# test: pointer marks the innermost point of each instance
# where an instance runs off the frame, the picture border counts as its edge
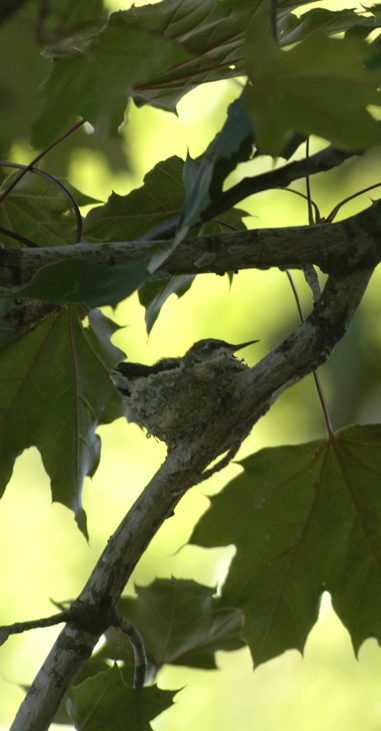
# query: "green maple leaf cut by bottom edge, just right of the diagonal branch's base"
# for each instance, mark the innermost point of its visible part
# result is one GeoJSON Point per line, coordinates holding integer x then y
{"type": "Point", "coordinates": [106, 702]}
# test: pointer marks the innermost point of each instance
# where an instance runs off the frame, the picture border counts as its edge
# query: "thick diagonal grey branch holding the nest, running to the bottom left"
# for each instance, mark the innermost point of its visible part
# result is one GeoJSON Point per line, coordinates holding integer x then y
{"type": "Point", "coordinates": [256, 388]}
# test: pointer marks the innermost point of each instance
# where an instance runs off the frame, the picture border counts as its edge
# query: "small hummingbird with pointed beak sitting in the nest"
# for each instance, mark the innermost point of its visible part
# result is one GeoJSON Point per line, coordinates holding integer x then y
{"type": "Point", "coordinates": [201, 351]}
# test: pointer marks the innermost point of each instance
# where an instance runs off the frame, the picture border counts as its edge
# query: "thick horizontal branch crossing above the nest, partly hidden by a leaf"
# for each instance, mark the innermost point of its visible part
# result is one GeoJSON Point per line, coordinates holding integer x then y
{"type": "Point", "coordinates": [334, 247]}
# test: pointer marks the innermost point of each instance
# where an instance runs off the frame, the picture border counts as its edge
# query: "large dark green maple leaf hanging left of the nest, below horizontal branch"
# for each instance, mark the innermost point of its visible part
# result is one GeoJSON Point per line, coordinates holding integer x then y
{"type": "Point", "coordinates": [55, 390]}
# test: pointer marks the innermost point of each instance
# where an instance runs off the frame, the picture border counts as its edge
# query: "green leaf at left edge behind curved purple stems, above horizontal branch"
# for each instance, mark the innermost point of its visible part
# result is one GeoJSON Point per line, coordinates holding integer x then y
{"type": "Point", "coordinates": [38, 210]}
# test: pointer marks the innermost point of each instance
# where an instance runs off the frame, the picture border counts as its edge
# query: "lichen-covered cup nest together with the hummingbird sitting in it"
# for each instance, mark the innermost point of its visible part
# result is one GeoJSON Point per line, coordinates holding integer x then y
{"type": "Point", "coordinates": [177, 399]}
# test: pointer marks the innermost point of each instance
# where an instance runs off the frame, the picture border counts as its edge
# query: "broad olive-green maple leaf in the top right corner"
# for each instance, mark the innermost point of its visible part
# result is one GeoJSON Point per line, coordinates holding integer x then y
{"type": "Point", "coordinates": [318, 87]}
